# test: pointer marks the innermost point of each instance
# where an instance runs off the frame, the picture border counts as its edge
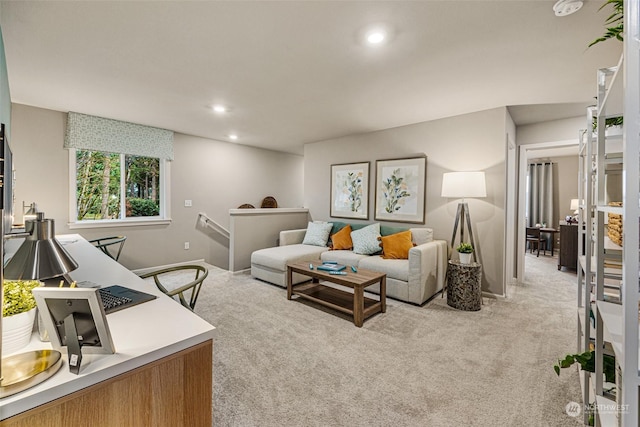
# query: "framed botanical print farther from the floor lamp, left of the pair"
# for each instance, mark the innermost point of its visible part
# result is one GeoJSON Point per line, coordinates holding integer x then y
{"type": "Point", "coordinates": [350, 190]}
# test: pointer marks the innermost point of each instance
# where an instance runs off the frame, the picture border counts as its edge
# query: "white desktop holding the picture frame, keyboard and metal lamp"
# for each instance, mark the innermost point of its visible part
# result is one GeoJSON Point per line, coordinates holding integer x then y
{"type": "Point", "coordinates": [141, 334]}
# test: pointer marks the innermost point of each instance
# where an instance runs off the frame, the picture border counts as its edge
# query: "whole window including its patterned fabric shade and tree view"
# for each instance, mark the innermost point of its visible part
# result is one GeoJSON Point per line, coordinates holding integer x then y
{"type": "Point", "coordinates": [118, 172]}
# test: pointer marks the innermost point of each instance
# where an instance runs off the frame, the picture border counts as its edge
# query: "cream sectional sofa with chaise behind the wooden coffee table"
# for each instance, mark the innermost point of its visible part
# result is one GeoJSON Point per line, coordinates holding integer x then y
{"type": "Point", "coordinates": [413, 280]}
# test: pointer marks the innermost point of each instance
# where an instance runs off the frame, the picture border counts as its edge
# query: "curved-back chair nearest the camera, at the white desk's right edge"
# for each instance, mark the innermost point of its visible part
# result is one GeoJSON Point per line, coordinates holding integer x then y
{"type": "Point", "coordinates": [174, 285]}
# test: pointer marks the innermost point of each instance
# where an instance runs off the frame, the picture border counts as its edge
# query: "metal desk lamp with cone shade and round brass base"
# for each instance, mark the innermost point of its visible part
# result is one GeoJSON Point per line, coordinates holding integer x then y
{"type": "Point", "coordinates": [40, 257]}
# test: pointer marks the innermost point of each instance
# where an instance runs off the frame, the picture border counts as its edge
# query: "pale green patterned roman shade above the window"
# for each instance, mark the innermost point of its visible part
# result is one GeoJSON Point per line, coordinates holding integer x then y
{"type": "Point", "coordinates": [99, 134]}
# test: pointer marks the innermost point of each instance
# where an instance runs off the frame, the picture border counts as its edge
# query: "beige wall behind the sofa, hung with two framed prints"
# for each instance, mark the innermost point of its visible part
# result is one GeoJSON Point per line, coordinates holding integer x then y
{"type": "Point", "coordinates": [464, 143]}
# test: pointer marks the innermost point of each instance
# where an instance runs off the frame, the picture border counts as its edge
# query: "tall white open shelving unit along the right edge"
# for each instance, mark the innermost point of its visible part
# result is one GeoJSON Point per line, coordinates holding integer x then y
{"type": "Point", "coordinates": [605, 266]}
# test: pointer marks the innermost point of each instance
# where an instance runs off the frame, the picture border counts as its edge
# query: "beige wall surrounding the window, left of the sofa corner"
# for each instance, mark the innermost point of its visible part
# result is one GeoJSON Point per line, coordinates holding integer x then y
{"type": "Point", "coordinates": [216, 176]}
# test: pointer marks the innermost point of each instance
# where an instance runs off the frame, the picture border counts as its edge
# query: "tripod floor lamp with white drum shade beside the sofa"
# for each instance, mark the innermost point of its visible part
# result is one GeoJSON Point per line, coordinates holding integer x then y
{"type": "Point", "coordinates": [463, 185]}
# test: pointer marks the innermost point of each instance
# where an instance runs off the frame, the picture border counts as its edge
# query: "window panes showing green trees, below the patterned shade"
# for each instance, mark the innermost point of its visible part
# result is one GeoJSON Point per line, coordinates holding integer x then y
{"type": "Point", "coordinates": [117, 187]}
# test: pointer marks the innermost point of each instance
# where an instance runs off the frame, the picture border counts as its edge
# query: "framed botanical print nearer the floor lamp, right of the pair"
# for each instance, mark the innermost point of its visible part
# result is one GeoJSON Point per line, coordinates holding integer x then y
{"type": "Point", "coordinates": [400, 189]}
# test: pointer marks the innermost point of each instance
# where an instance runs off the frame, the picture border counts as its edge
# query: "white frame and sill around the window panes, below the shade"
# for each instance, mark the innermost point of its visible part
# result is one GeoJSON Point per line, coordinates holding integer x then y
{"type": "Point", "coordinates": [165, 212]}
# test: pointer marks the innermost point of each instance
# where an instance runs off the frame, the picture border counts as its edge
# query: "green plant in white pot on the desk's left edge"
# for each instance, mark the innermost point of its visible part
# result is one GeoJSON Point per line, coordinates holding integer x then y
{"type": "Point", "coordinates": [18, 314]}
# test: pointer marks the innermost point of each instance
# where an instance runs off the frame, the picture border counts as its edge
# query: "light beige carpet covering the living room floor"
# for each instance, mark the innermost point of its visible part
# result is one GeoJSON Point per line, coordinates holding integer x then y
{"type": "Point", "coordinates": [287, 363]}
